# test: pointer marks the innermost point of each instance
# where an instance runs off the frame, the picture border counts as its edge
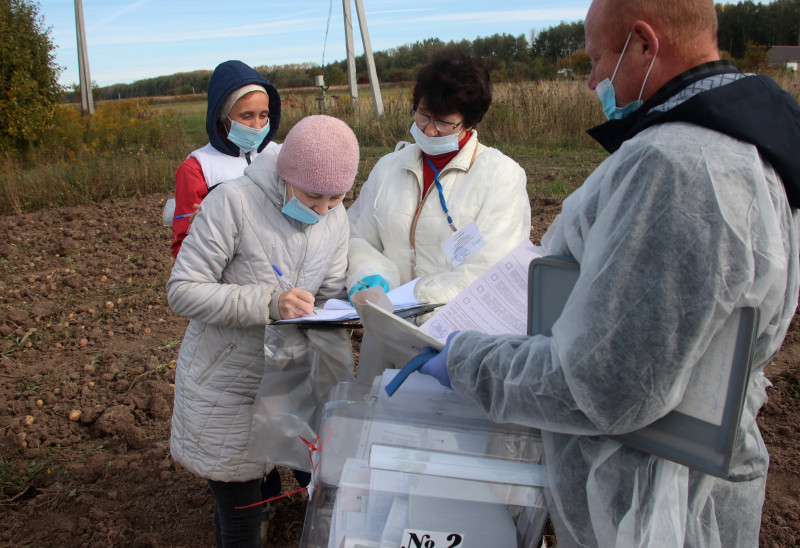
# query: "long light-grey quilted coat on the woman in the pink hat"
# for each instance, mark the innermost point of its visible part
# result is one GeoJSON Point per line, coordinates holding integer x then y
{"type": "Point", "coordinates": [224, 282]}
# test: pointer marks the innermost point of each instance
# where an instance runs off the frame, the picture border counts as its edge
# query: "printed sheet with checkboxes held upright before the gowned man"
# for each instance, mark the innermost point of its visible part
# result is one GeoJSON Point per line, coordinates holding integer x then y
{"type": "Point", "coordinates": [496, 303]}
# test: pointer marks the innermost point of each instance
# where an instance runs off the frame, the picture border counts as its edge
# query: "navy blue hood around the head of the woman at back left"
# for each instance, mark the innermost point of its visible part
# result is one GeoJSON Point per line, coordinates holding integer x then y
{"type": "Point", "coordinates": [227, 78]}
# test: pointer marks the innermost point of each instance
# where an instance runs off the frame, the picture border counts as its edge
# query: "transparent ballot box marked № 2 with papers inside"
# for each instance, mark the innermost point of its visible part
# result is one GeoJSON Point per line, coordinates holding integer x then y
{"type": "Point", "coordinates": [424, 468]}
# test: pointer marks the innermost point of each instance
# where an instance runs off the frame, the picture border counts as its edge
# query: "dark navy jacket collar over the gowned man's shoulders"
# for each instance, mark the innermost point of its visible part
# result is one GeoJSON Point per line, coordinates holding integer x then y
{"type": "Point", "coordinates": [715, 95]}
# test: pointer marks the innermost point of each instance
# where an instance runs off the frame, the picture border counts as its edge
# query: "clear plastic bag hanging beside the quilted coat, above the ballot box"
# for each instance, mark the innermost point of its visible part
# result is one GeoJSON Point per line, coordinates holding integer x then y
{"type": "Point", "coordinates": [302, 366]}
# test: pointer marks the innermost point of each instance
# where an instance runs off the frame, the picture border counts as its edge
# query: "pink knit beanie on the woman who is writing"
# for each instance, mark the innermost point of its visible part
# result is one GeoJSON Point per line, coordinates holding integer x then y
{"type": "Point", "coordinates": [319, 155]}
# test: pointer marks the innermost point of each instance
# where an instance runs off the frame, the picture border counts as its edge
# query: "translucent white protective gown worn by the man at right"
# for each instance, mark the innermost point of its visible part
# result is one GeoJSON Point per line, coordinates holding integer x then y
{"type": "Point", "coordinates": [677, 228]}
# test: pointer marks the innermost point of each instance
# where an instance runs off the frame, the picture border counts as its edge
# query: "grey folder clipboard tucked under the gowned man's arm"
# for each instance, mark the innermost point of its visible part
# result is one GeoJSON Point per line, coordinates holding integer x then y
{"type": "Point", "coordinates": [681, 436]}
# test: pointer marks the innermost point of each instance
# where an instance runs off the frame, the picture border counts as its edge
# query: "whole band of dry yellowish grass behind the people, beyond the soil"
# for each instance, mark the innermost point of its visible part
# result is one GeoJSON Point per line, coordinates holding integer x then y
{"type": "Point", "coordinates": [131, 148]}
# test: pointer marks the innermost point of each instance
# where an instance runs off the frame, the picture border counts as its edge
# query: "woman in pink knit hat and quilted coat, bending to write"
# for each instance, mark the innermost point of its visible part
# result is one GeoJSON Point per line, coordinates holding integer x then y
{"type": "Point", "coordinates": [264, 247]}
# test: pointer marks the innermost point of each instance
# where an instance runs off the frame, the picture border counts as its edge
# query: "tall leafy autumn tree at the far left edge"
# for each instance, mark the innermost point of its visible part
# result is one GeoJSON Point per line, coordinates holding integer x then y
{"type": "Point", "coordinates": [29, 90]}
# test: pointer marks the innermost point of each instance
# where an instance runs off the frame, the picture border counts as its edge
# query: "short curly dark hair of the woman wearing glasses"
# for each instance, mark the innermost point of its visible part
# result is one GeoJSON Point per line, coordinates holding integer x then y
{"type": "Point", "coordinates": [453, 81]}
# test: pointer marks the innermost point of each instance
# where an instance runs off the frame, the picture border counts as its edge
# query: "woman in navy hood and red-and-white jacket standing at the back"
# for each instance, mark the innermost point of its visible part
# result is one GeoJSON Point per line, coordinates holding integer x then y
{"type": "Point", "coordinates": [244, 112]}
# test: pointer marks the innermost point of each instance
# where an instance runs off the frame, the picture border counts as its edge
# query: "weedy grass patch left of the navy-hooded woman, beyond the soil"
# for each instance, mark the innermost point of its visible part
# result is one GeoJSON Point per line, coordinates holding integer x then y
{"type": "Point", "coordinates": [125, 149]}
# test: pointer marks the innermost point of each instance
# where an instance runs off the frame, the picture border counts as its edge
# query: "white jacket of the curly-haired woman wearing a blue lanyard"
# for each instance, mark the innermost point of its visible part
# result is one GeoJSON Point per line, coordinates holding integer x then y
{"type": "Point", "coordinates": [398, 233]}
